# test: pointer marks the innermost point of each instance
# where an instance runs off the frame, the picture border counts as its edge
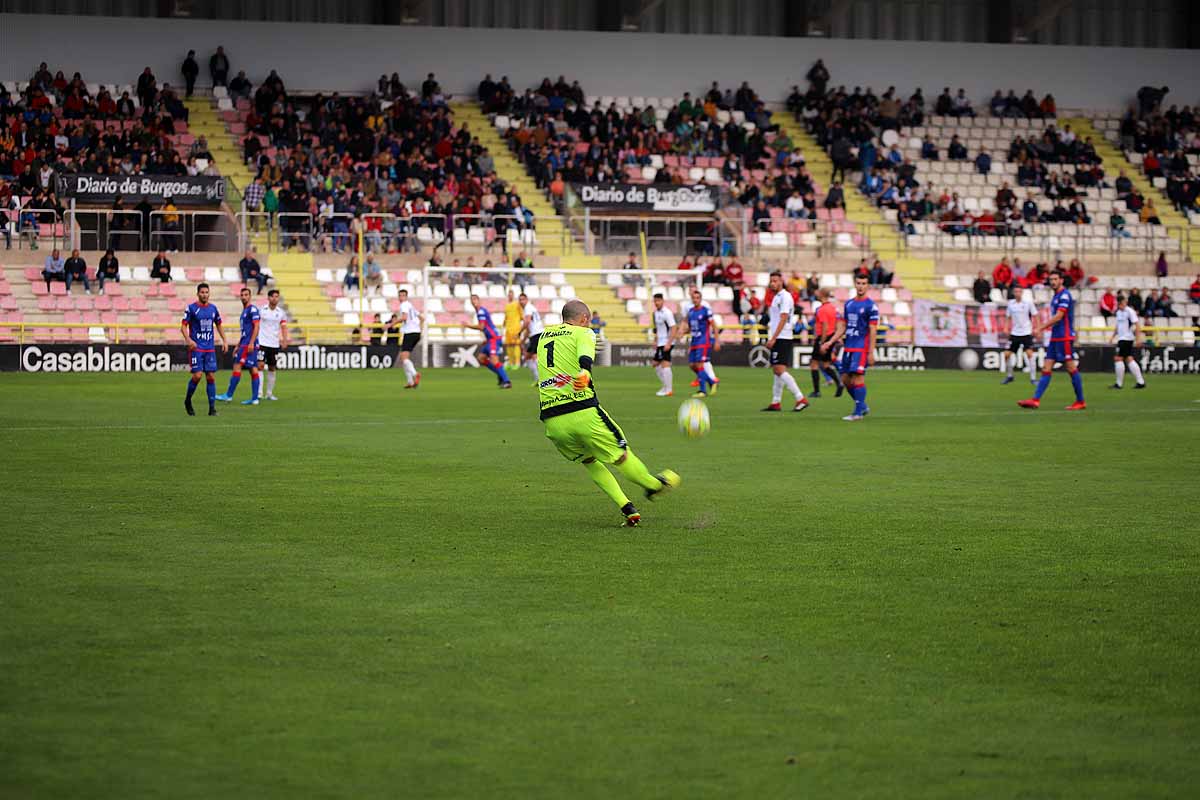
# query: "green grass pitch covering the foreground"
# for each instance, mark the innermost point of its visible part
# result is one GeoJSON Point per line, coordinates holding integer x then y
{"type": "Point", "coordinates": [367, 592]}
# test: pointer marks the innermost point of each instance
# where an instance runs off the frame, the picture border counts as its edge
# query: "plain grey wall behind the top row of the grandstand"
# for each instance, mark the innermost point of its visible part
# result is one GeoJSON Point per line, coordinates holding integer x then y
{"type": "Point", "coordinates": [111, 50]}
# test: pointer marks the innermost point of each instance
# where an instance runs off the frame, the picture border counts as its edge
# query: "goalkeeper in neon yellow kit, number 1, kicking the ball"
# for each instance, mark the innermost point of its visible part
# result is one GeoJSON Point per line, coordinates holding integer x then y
{"type": "Point", "coordinates": [577, 424]}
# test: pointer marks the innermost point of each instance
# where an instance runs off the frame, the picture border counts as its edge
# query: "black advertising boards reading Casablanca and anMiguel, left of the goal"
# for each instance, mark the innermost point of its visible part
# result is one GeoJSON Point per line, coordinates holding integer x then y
{"type": "Point", "coordinates": [173, 358]}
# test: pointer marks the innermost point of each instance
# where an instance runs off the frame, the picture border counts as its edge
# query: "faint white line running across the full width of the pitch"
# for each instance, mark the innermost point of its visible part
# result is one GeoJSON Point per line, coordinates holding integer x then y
{"type": "Point", "coordinates": [403, 423]}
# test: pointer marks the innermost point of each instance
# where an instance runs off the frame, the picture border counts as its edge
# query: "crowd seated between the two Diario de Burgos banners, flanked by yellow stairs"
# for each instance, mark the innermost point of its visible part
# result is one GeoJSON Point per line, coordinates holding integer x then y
{"type": "Point", "coordinates": [393, 153]}
